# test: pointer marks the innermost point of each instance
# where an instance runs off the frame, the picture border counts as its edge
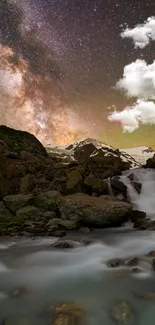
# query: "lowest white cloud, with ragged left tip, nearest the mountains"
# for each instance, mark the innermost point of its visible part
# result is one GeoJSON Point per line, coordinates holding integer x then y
{"type": "Point", "coordinates": [132, 116]}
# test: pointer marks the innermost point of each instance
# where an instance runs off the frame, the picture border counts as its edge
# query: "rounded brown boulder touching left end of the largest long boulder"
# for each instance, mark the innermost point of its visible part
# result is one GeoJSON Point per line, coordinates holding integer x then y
{"type": "Point", "coordinates": [47, 200]}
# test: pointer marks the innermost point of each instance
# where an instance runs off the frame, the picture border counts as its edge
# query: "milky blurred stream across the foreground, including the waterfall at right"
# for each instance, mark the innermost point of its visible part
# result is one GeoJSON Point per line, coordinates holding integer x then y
{"type": "Point", "coordinates": [81, 275]}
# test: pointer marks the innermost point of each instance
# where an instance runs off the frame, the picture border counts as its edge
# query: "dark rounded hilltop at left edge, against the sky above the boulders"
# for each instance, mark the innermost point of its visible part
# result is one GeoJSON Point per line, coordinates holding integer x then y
{"type": "Point", "coordinates": [18, 141]}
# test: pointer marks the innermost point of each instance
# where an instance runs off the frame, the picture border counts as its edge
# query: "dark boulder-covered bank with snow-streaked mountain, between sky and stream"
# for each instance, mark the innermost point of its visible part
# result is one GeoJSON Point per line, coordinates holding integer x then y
{"type": "Point", "coordinates": [50, 191]}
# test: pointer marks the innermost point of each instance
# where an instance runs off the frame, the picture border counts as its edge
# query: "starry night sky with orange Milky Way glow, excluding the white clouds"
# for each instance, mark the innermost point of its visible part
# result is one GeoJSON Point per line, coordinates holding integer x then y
{"type": "Point", "coordinates": [78, 55]}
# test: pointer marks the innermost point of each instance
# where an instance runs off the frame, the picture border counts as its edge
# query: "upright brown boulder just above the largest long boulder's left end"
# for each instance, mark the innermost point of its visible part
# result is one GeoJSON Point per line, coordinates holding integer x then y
{"type": "Point", "coordinates": [74, 182]}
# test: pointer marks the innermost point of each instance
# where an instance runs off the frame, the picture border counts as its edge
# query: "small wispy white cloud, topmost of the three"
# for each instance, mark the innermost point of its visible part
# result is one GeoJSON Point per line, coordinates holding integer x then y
{"type": "Point", "coordinates": [142, 34]}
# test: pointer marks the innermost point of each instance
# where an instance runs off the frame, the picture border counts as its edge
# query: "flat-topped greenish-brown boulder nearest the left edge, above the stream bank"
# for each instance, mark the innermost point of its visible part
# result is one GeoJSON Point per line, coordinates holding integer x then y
{"type": "Point", "coordinates": [16, 202]}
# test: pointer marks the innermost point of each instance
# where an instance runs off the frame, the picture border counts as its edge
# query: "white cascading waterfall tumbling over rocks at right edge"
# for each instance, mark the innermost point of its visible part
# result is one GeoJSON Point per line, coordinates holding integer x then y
{"type": "Point", "coordinates": [145, 200]}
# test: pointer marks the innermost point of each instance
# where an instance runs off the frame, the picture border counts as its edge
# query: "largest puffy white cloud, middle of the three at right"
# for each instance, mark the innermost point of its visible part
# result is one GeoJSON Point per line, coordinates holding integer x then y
{"type": "Point", "coordinates": [138, 80]}
